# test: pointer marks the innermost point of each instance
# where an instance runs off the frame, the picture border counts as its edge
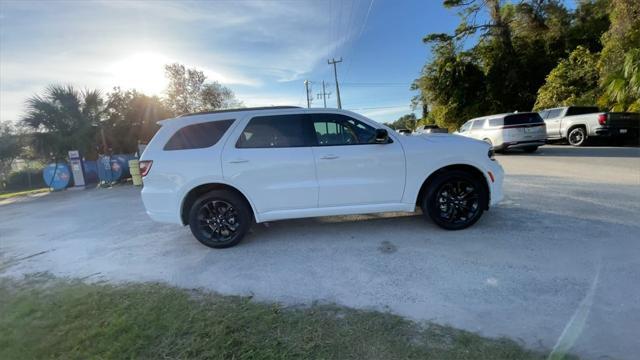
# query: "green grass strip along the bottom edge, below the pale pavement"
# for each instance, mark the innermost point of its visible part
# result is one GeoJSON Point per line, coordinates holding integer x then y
{"type": "Point", "coordinates": [49, 318]}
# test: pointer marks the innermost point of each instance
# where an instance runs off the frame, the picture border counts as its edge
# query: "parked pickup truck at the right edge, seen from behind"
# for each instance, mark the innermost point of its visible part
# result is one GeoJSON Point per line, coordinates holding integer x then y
{"type": "Point", "coordinates": [578, 123]}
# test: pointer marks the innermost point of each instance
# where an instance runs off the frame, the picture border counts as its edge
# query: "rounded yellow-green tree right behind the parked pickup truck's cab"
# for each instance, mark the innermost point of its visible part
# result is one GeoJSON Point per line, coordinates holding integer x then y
{"type": "Point", "coordinates": [573, 82]}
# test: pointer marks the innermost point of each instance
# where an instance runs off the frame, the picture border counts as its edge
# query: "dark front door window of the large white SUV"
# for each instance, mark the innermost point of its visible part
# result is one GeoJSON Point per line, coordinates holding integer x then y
{"type": "Point", "coordinates": [335, 129]}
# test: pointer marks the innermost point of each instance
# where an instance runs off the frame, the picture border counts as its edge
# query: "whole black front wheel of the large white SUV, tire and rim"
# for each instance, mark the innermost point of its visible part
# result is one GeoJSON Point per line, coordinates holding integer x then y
{"type": "Point", "coordinates": [445, 196]}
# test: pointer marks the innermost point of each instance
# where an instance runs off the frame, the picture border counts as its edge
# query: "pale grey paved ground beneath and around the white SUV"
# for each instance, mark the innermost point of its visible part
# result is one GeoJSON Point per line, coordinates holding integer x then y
{"type": "Point", "coordinates": [559, 258]}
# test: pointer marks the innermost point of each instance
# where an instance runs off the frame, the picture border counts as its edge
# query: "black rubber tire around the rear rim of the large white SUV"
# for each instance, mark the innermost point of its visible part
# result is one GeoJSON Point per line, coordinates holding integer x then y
{"type": "Point", "coordinates": [239, 205]}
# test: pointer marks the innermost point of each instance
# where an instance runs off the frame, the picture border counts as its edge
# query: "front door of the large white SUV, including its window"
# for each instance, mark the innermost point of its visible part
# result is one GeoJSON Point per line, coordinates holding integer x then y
{"type": "Point", "coordinates": [351, 168]}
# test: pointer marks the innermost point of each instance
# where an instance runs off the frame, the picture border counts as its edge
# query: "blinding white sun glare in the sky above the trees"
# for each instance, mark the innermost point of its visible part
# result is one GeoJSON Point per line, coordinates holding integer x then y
{"type": "Point", "coordinates": [141, 71]}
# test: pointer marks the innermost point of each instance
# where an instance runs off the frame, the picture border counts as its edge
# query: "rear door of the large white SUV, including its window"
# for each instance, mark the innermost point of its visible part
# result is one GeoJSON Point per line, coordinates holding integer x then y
{"type": "Point", "coordinates": [270, 159]}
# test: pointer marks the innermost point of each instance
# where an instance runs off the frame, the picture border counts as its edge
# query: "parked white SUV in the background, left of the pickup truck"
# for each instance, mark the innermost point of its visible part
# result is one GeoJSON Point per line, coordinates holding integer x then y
{"type": "Point", "coordinates": [524, 131]}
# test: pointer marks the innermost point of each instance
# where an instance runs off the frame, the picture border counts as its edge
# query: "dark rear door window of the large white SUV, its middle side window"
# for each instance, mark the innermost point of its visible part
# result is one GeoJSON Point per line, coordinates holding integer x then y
{"type": "Point", "coordinates": [274, 132]}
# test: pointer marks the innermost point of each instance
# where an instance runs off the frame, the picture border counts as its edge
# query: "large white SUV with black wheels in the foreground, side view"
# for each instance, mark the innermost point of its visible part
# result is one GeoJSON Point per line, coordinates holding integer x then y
{"type": "Point", "coordinates": [220, 171]}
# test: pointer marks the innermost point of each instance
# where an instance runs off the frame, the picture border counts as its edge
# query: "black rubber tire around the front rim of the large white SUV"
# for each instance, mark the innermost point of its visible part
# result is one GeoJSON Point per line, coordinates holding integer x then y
{"type": "Point", "coordinates": [430, 205]}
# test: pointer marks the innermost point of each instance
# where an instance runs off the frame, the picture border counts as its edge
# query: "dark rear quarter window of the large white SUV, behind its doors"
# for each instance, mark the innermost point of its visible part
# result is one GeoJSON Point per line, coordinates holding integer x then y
{"type": "Point", "coordinates": [198, 136]}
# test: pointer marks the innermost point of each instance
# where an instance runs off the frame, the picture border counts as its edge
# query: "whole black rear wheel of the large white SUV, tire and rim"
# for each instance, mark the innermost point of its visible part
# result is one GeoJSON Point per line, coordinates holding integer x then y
{"type": "Point", "coordinates": [220, 219]}
